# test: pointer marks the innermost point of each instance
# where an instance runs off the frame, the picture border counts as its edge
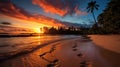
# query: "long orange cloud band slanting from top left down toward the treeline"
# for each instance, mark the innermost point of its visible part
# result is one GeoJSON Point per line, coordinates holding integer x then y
{"type": "Point", "coordinates": [9, 9]}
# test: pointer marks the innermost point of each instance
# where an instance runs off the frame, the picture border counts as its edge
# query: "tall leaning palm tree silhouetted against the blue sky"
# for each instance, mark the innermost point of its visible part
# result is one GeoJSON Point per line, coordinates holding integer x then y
{"type": "Point", "coordinates": [91, 7]}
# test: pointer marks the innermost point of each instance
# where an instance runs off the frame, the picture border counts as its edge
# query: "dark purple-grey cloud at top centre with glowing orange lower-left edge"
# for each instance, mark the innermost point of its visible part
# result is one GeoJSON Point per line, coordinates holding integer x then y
{"type": "Point", "coordinates": [60, 7]}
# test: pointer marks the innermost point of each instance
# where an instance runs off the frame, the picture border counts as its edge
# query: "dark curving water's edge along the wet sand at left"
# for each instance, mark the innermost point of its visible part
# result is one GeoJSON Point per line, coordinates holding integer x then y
{"type": "Point", "coordinates": [29, 50]}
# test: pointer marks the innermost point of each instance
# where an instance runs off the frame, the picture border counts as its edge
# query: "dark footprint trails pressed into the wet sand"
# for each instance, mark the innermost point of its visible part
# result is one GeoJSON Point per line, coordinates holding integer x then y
{"type": "Point", "coordinates": [54, 63]}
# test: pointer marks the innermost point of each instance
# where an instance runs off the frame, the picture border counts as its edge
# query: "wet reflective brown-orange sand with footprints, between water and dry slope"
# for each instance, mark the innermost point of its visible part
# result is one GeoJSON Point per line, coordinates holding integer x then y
{"type": "Point", "coordinates": [78, 52]}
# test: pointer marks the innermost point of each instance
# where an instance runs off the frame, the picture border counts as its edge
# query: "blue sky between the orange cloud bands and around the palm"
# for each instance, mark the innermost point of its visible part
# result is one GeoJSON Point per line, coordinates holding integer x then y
{"type": "Point", "coordinates": [27, 5]}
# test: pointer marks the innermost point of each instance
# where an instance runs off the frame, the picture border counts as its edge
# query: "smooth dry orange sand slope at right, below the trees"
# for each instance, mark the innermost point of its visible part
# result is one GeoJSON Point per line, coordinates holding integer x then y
{"type": "Point", "coordinates": [110, 42]}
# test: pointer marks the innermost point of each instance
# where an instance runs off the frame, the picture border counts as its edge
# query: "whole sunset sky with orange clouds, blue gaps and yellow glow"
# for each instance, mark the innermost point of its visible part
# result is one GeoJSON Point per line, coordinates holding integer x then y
{"type": "Point", "coordinates": [34, 14]}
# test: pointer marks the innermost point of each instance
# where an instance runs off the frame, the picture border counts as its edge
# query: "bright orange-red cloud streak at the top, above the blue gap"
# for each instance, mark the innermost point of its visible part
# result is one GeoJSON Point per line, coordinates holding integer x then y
{"type": "Point", "coordinates": [50, 8]}
